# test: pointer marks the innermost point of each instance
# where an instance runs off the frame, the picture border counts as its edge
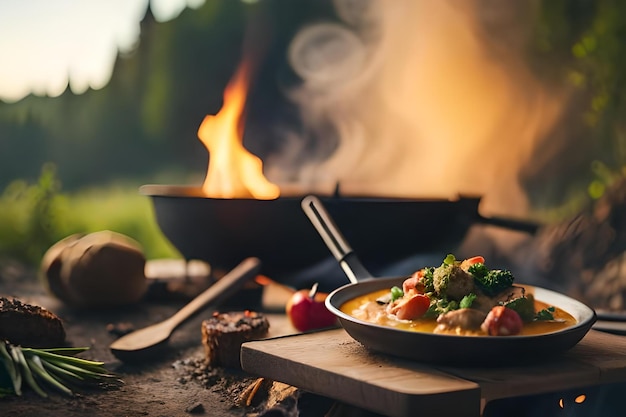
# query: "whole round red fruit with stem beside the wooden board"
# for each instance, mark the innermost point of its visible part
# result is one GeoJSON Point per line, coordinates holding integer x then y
{"type": "Point", "coordinates": [306, 310]}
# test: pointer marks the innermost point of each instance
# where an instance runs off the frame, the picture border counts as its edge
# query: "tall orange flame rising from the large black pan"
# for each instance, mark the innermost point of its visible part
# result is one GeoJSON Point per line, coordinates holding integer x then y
{"type": "Point", "coordinates": [233, 172]}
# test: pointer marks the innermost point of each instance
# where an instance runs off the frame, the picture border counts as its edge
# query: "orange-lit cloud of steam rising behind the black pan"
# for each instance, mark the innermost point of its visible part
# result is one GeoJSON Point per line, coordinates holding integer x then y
{"type": "Point", "coordinates": [427, 99]}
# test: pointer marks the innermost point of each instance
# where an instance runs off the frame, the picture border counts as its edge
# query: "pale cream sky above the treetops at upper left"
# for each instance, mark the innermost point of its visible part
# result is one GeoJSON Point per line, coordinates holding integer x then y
{"type": "Point", "coordinates": [47, 44]}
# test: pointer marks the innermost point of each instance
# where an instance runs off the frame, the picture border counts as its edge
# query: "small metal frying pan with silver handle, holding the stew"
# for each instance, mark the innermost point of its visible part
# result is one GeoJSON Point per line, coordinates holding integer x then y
{"type": "Point", "coordinates": [430, 347]}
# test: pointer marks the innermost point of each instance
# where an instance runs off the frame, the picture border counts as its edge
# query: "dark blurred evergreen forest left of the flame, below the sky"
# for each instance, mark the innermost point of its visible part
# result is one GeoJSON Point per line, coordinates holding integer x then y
{"type": "Point", "coordinates": [145, 120]}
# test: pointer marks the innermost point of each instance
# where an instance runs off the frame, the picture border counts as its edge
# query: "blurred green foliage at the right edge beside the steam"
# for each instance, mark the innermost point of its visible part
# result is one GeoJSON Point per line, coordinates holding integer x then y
{"type": "Point", "coordinates": [580, 45]}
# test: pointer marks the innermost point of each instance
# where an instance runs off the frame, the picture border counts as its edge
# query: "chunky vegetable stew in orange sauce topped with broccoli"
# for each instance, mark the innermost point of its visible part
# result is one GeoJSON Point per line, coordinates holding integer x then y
{"type": "Point", "coordinates": [460, 298]}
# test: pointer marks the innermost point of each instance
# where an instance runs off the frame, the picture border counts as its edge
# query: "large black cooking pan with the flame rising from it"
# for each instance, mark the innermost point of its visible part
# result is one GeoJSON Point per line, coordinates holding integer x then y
{"type": "Point", "coordinates": [224, 231]}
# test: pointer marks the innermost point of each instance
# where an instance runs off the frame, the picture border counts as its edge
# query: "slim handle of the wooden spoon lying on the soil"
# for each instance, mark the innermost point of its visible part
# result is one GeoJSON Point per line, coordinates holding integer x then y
{"type": "Point", "coordinates": [219, 291]}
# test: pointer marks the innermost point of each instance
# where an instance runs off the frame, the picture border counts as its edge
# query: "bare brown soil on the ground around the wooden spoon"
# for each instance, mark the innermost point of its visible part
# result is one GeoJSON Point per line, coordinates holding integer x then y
{"type": "Point", "coordinates": [169, 381]}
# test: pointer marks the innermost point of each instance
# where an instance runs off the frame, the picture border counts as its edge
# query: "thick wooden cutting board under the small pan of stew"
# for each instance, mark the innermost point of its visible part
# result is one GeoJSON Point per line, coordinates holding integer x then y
{"type": "Point", "coordinates": [332, 364]}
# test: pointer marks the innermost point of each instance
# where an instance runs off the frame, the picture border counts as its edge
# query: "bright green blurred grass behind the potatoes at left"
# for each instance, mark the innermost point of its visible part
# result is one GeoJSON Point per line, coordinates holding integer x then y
{"type": "Point", "coordinates": [35, 216]}
